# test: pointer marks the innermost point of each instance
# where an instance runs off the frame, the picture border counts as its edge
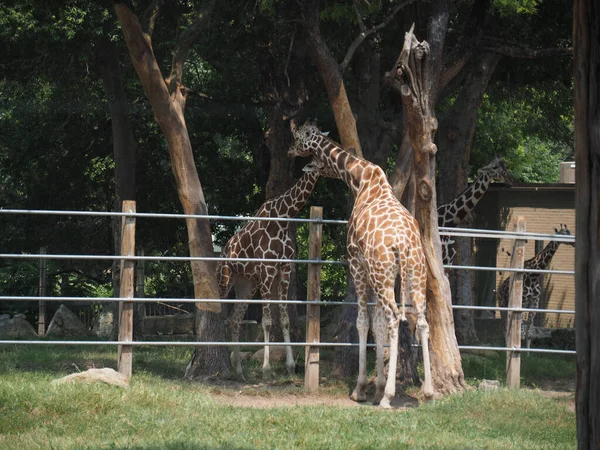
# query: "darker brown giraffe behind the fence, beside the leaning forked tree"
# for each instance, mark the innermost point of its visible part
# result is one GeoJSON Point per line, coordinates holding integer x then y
{"type": "Point", "coordinates": [269, 240]}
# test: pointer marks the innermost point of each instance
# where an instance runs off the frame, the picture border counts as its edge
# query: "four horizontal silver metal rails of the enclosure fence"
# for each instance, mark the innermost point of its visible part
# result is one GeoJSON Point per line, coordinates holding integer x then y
{"type": "Point", "coordinates": [456, 232]}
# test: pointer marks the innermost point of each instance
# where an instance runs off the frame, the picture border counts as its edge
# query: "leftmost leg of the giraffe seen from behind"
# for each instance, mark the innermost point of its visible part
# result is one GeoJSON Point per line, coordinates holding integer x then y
{"type": "Point", "coordinates": [362, 324]}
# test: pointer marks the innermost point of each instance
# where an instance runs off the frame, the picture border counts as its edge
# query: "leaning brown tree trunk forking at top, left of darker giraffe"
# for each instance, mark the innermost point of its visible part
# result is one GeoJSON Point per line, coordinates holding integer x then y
{"type": "Point", "coordinates": [167, 98]}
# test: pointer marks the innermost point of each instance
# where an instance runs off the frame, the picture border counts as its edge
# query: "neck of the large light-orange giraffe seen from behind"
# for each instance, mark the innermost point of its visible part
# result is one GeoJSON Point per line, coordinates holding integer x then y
{"type": "Point", "coordinates": [351, 169]}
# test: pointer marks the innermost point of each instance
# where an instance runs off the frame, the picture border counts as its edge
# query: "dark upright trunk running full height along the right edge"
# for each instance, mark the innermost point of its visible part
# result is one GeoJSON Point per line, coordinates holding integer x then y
{"type": "Point", "coordinates": [586, 40]}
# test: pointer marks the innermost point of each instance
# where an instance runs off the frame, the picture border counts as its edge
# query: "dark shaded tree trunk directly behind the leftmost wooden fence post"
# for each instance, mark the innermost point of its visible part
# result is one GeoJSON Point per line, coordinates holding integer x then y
{"type": "Point", "coordinates": [124, 153]}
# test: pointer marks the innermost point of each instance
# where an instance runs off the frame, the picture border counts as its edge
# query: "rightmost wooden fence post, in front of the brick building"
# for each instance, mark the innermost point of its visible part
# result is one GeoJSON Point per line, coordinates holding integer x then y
{"type": "Point", "coordinates": [514, 318]}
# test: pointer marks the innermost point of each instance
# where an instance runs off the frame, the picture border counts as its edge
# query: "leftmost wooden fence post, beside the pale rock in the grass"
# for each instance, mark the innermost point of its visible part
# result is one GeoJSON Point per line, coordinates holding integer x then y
{"type": "Point", "coordinates": [125, 354]}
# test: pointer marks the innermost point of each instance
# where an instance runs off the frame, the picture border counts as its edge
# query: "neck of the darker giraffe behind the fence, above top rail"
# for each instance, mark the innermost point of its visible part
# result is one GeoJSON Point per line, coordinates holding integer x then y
{"type": "Point", "coordinates": [291, 201]}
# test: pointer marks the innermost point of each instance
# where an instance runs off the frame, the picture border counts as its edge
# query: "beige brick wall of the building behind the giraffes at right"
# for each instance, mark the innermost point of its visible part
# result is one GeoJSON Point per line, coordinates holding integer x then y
{"type": "Point", "coordinates": [561, 287]}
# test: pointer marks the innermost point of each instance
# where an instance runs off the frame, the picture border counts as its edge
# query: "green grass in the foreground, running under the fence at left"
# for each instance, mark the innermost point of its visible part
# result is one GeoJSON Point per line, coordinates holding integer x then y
{"type": "Point", "coordinates": [160, 411]}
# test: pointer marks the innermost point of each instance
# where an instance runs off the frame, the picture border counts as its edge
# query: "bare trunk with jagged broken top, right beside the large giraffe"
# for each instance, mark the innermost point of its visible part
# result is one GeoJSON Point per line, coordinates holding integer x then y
{"type": "Point", "coordinates": [413, 72]}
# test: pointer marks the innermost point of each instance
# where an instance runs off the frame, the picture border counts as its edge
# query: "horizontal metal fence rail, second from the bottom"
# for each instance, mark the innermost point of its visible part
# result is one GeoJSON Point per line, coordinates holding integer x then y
{"type": "Point", "coordinates": [253, 302]}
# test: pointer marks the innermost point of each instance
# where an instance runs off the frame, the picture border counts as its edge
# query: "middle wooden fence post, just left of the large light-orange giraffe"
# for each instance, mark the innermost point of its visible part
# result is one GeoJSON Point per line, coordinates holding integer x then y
{"type": "Point", "coordinates": [313, 312]}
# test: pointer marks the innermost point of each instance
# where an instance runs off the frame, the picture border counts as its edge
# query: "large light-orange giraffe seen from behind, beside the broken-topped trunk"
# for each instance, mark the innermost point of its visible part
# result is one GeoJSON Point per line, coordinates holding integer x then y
{"type": "Point", "coordinates": [383, 243]}
